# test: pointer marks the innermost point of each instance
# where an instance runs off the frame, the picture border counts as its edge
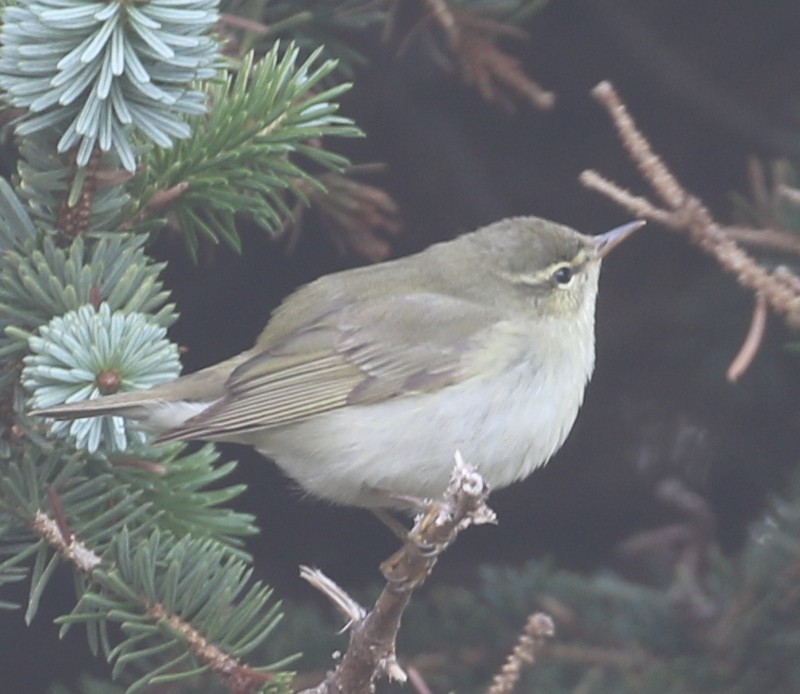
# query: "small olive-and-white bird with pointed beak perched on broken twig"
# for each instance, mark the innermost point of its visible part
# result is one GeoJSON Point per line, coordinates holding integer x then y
{"type": "Point", "coordinates": [365, 382]}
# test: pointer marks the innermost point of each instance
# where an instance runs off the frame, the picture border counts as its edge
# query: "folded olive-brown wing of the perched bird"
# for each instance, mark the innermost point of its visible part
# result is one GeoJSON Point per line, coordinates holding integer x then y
{"type": "Point", "coordinates": [365, 352]}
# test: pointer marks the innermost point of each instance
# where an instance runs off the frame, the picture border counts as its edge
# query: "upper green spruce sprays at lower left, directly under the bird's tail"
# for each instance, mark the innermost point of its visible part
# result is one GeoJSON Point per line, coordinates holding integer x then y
{"type": "Point", "coordinates": [101, 498]}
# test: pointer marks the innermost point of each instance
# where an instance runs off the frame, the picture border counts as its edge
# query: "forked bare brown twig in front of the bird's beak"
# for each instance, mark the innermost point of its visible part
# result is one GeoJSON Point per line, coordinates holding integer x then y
{"type": "Point", "coordinates": [682, 211]}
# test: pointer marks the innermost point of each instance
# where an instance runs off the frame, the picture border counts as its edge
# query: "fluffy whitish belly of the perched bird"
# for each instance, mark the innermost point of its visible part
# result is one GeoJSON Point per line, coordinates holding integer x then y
{"type": "Point", "coordinates": [506, 425]}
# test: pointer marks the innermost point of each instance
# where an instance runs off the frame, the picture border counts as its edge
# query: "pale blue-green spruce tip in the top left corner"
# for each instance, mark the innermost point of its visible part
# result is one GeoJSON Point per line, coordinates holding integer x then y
{"type": "Point", "coordinates": [94, 72]}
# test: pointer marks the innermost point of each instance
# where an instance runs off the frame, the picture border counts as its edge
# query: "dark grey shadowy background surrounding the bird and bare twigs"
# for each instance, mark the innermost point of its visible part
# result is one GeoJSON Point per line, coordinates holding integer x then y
{"type": "Point", "coordinates": [711, 83]}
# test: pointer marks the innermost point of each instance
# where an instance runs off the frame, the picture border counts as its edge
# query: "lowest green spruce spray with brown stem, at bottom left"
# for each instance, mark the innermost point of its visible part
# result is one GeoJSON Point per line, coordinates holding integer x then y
{"type": "Point", "coordinates": [166, 593]}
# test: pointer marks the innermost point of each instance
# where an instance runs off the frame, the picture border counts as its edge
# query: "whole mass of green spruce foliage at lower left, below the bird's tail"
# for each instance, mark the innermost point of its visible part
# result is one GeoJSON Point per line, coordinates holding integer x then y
{"type": "Point", "coordinates": [122, 511]}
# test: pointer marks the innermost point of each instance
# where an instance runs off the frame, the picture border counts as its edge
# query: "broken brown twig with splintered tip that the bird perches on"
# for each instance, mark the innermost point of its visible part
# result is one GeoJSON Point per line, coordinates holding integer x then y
{"type": "Point", "coordinates": [371, 652]}
